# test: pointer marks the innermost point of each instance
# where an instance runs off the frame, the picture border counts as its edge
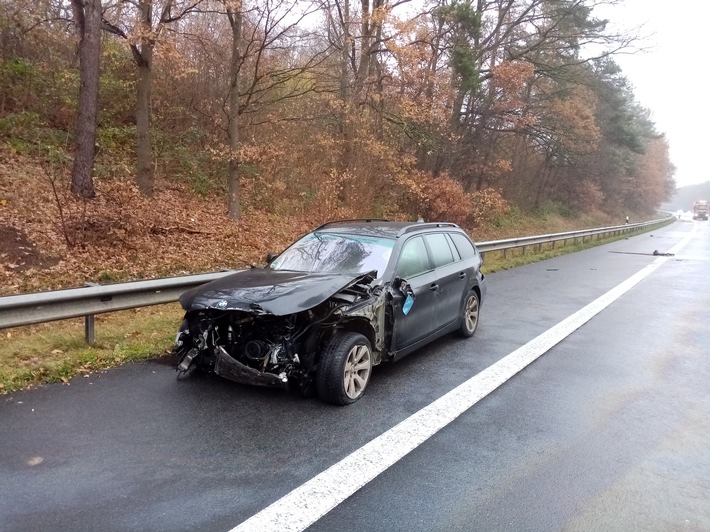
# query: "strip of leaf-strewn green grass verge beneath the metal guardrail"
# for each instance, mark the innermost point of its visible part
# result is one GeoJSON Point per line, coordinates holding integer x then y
{"type": "Point", "coordinates": [55, 352]}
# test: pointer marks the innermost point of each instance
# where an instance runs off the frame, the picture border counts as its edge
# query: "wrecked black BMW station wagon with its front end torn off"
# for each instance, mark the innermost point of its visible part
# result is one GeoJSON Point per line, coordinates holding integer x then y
{"type": "Point", "coordinates": [340, 300]}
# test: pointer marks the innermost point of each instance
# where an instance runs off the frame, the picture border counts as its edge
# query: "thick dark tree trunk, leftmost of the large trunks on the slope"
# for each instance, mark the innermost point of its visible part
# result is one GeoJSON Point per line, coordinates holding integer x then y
{"type": "Point", "coordinates": [87, 16]}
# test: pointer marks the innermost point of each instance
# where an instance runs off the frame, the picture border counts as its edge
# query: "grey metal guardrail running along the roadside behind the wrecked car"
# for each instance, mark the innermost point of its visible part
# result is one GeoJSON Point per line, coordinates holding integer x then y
{"type": "Point", "coordinates": [40, 307]}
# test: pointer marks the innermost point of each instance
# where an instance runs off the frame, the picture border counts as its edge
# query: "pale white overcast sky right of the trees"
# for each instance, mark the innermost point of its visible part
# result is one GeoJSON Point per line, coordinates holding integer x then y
{"type": "Point", "coordinates": [671, 78]}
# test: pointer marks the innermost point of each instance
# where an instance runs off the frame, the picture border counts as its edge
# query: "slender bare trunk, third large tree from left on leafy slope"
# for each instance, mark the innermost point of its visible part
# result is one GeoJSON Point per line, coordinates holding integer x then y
{"type": "Point", "coordinates": [235, 21]}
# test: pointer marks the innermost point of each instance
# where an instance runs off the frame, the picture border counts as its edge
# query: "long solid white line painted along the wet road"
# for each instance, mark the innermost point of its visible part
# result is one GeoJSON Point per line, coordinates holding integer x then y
{"type": "Point", "coordinates": [309, 502]}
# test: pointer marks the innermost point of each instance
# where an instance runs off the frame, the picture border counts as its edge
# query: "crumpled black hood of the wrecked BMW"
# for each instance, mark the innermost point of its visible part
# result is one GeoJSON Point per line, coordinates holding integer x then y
{"type": "Point", "coordinates": [276, 292]}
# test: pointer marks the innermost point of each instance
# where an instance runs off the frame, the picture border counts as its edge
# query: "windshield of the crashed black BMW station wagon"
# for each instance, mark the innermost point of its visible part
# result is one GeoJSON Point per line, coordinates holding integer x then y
{"type": "Point", "coordinates": [333, 253]}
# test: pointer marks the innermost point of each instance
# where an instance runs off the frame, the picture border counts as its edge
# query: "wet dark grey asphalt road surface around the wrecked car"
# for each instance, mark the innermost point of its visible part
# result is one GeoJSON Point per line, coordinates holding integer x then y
{"type": "Point", "coordinates": [609, 430]}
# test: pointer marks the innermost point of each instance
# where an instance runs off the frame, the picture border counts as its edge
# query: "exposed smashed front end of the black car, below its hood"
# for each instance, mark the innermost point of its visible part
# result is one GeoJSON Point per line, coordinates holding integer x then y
{"type": "Point", "coordinates": [267, 349]}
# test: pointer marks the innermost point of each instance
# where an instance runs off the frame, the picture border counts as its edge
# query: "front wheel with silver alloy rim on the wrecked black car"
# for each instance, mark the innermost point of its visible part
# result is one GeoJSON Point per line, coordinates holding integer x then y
{"type": "Point", "coordinates": [344, 368]}
